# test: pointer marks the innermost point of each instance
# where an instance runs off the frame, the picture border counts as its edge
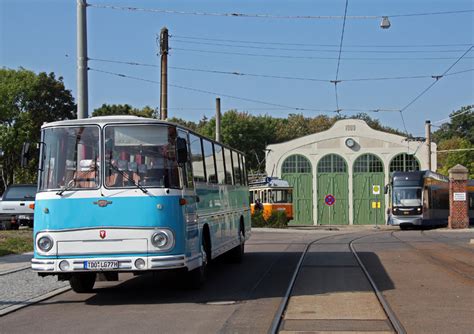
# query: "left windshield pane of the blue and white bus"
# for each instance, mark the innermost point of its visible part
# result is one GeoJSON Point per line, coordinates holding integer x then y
{"type": "Point", "coordinates": [70, 158]}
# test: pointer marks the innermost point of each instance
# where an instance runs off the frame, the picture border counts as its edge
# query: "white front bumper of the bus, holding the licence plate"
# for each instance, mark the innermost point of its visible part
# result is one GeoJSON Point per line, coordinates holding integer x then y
{"type": "Point", "coordinates": [119, 264]}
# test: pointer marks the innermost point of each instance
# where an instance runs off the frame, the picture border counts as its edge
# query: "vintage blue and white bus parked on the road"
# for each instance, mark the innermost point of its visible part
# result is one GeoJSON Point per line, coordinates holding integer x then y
{"type": "Point", "coordinates": [129, 194]}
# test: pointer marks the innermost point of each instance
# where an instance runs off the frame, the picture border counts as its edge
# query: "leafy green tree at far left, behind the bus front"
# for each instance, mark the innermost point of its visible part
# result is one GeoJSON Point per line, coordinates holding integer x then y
{"type": "Point", "coordinates": [27, 100]}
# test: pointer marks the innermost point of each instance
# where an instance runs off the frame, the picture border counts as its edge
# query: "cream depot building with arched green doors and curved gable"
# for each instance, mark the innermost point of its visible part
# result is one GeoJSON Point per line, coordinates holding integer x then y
{"type": "Point", "coordinates": [338, 176]}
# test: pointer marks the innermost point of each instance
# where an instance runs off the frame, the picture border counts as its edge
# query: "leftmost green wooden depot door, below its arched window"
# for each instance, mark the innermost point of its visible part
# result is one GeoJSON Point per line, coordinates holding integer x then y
{"type": "Point", "coordinates": [302, 184]}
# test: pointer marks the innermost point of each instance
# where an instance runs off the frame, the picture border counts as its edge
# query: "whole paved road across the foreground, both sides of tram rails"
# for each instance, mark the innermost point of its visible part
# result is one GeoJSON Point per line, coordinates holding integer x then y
{"type": "Point", "coordinates": [426, 277]}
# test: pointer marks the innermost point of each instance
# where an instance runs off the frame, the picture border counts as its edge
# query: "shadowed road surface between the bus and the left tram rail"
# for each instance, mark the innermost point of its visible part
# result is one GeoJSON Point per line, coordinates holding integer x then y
{"type": "Point", "coordinates": [237, 298]}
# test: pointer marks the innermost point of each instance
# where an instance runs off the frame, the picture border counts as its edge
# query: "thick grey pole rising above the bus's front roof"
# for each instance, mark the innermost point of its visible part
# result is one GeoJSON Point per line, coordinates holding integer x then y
{"type": "Point", "coordinates": [82, 90]}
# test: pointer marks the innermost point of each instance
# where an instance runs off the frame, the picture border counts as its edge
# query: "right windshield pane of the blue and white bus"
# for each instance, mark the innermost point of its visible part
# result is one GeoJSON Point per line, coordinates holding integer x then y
{"type": "Point", "coordinates": [141, 154]}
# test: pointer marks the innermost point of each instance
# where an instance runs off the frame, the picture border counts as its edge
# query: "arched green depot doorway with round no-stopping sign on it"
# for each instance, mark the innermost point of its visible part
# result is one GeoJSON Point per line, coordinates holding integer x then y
{"type": "Point", "coordinates": [332, 180]}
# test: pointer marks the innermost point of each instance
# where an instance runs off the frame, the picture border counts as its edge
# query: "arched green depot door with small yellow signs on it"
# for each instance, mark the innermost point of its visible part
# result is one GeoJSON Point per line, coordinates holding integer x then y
{"type": "Point", "coordinates": [368, 180]}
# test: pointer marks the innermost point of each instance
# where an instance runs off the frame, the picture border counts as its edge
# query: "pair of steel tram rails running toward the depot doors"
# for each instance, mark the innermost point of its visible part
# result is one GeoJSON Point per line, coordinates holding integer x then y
{"type": "Point", "coordinates": [392, 318]}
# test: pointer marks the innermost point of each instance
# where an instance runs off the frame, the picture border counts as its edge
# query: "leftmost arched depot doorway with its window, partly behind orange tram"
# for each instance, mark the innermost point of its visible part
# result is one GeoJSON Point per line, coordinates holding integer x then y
{"type": "Point", "coordinates": [296, 169]}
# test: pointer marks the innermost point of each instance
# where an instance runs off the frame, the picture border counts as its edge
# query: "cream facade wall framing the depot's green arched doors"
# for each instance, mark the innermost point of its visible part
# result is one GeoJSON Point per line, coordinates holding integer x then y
{"type": "Point", "coordinates": [367, 140]}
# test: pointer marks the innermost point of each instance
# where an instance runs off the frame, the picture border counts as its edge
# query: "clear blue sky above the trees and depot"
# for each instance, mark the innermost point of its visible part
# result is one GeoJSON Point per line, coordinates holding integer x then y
{"type": "Point", "coordinates": [285, 60]}
